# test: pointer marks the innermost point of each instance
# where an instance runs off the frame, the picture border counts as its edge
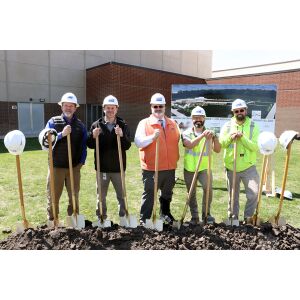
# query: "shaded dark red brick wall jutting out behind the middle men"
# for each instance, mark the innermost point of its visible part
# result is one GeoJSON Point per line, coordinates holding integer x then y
{"type": "Point", "coordinates": [133, 86]}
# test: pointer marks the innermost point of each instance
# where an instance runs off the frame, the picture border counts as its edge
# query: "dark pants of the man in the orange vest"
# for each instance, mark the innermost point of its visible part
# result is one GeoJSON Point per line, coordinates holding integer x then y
{"type": "Point", "coordinates": [166, 182]}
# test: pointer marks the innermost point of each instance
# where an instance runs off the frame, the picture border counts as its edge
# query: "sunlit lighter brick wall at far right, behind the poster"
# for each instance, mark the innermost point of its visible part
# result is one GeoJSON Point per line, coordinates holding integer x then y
{"type": "Point", "coordinates": [288, 94]}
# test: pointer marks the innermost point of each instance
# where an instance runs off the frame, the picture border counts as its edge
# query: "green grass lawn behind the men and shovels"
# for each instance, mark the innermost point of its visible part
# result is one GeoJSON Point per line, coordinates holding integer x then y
{"type": "Point", "coordinates": [34, 172]}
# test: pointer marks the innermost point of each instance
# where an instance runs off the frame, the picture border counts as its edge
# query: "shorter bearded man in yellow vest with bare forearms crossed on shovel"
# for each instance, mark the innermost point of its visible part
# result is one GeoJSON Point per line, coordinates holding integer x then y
{"type": "Point", "coordinates": [193, 140]}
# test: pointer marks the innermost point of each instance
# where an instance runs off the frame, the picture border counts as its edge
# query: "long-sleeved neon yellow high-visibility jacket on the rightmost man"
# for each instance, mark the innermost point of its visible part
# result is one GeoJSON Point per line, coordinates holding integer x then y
{"type": "Point", "coordinates": [246, 146]}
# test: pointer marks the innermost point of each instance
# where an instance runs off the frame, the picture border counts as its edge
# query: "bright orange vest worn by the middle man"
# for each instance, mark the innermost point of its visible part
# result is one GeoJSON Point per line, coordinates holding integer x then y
{"type": "Point", "coordinates": [168, 145]}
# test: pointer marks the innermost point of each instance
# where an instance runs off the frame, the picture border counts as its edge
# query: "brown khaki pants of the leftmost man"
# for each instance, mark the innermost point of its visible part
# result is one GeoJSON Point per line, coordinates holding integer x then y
{"type": "Point", "coordinates": [61, 179]}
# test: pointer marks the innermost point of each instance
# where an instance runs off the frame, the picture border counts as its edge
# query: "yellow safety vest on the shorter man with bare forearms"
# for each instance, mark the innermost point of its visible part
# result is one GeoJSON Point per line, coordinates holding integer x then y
{"type": "Point", "coordinates": [191, 156]}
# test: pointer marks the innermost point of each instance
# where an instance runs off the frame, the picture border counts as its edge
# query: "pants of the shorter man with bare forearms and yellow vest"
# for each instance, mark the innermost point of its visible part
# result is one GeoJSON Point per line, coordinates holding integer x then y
{"type": "Point", "coordinates": [202, 178]}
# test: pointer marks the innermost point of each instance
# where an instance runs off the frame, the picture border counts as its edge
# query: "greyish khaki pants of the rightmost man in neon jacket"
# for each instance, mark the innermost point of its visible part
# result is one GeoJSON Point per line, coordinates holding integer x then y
{"type": "Point", "coordinates": [250, 179]}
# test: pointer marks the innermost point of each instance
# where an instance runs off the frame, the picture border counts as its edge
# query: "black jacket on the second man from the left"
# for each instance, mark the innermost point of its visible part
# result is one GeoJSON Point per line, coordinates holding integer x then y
{"type": "Point", "coordinates": [108, 147]}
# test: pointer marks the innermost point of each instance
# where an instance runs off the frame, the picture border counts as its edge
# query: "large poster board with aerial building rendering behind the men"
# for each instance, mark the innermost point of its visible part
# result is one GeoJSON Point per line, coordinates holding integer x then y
{"type": "Point", "coordinates": [216, 100]}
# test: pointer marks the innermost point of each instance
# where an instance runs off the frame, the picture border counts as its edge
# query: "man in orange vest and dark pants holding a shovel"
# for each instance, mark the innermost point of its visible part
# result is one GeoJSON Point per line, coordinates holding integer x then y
{"type": "Point", "coordinates": [158, 126]}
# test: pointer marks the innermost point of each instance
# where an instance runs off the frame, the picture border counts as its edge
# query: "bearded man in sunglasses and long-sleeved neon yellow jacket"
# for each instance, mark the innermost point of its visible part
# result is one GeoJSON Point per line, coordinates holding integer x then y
{"type": "Point", "coordinates": [244, 132]}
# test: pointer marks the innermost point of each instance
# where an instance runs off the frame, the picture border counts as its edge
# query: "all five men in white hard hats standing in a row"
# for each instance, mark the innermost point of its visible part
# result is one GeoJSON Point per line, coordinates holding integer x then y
{"type": "Point", "coordinates": [240, 130]}
